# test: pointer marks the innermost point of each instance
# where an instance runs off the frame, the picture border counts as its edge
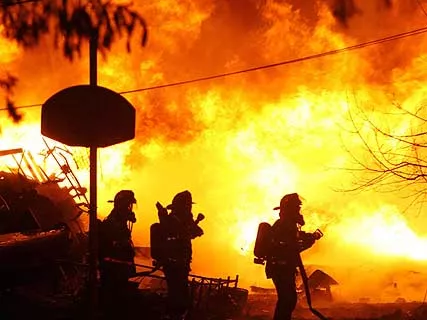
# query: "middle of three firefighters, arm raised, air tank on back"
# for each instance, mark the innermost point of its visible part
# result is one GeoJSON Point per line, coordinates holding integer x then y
{"type": "Point", "coordinates": [172, 249]}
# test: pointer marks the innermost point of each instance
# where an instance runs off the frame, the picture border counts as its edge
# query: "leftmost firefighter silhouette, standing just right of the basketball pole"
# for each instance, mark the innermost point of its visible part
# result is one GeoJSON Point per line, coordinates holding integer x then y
{"type": "Point", "coordinates": [116, 253]}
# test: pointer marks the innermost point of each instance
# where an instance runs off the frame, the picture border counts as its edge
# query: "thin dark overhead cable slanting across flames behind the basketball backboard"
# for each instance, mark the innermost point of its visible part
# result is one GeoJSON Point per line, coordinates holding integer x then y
{"type": "Point", "coordinates": [268, 66]}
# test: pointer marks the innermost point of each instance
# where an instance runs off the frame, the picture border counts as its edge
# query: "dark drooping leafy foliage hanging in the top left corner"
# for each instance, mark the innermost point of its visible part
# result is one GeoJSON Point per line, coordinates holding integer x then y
{"type": "Point", "coordinates": [72, 23]}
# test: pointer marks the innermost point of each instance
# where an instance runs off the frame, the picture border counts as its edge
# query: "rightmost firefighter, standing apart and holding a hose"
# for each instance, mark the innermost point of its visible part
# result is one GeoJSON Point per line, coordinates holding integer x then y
{"type": "Point", "coordinates": [280, 245]}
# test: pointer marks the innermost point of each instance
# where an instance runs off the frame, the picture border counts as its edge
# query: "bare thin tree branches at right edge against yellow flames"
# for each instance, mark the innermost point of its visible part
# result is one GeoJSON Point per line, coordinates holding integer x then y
{"type": "Point", "coordinates": [394, 156]}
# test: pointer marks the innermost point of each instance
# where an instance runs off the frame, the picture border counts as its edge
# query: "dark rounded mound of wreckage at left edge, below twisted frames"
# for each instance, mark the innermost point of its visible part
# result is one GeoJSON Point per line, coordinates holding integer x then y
{"type": "Point", "coordinates": [33, 231]}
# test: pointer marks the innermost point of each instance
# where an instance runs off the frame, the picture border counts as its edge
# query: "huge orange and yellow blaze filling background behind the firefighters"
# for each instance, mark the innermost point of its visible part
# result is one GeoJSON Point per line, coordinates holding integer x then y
{"type": "Point", "coordinates": [240, 143]}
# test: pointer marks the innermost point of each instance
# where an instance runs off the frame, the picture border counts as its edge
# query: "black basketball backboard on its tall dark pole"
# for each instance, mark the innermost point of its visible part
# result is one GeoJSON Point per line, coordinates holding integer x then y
{"type": "Point", "coordinates": [89, 116]}
